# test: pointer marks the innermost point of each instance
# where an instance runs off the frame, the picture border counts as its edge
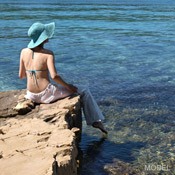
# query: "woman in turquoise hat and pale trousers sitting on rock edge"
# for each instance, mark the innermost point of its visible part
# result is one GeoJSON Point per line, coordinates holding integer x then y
{"type": "Point", "coordinates": [37, 63]}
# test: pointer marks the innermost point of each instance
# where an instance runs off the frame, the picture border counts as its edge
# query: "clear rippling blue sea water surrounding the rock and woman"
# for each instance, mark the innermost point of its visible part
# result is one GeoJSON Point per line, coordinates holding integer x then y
{"type": "Point", "coordinates": [125, 52]}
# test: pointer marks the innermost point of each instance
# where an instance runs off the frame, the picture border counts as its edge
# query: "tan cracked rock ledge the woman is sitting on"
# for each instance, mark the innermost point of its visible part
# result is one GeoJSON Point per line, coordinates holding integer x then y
{"type": "Point", "coordinates": [29, 142]}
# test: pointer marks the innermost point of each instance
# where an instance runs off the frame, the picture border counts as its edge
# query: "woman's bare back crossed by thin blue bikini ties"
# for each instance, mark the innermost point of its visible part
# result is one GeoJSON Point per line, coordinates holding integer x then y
{"type": "Point", "coordinates": [37, 73]}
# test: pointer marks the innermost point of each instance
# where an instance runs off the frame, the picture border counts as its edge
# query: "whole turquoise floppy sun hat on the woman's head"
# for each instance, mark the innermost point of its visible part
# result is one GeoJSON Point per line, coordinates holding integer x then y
{"type": "Point", "coordinates": [39, 32]}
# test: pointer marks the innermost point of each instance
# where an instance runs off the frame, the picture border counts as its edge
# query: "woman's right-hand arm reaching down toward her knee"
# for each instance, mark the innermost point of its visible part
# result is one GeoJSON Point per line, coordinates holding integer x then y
{"type": "Point", "coordinates": [57, 78]}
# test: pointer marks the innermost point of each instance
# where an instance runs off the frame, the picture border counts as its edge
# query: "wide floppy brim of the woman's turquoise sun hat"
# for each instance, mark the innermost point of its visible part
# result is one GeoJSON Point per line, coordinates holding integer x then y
{"type": "Point", "coordinates": [46, 34]}
